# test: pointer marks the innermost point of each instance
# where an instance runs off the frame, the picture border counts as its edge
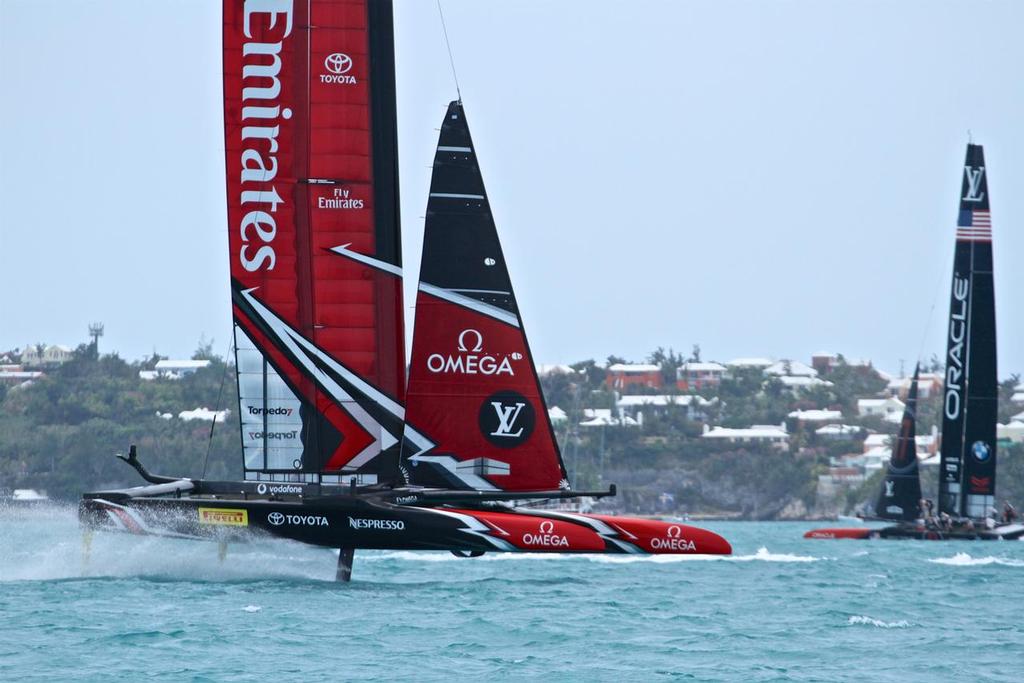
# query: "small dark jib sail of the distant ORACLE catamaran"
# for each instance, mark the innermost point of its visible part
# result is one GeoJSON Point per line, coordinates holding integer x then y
{"type": "Point", "coordinates": [901, 496]}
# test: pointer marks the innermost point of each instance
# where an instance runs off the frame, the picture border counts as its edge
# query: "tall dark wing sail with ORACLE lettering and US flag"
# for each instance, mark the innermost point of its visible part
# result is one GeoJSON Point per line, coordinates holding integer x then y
{"type": "Point", "coordinates": [967, 478]}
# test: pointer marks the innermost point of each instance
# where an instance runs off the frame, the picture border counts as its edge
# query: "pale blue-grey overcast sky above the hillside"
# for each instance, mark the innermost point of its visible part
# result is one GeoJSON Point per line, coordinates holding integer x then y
{"type": "Point", "coordinates": [760, 179]}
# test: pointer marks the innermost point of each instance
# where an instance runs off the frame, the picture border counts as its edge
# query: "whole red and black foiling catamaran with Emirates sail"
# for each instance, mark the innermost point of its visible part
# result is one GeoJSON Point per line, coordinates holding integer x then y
{"type": "Point", "coordinates": [339, 450]}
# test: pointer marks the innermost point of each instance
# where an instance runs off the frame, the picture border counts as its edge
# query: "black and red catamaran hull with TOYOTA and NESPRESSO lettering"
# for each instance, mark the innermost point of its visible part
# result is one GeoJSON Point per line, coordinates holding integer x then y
{"type": "Point", "coordinates": [351, 523]}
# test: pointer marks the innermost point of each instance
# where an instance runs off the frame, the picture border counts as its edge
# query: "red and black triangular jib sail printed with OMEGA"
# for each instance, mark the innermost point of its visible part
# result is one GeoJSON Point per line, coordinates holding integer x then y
{"type": "Point", "coordinates": [477, 418]}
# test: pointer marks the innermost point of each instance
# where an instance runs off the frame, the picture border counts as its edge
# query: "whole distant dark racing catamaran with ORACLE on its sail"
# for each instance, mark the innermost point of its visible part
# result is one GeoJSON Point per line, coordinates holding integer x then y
{"type": "Point", "coordinates": [967, 471]}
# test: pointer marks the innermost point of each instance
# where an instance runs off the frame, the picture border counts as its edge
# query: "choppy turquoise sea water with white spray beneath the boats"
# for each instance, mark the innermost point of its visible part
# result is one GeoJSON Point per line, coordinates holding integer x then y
{"type": "Point", "coordinates": [782, 609]}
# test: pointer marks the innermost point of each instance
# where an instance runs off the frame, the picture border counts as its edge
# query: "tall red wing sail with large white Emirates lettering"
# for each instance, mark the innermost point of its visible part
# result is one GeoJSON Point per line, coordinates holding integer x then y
{"type": "Point", "coordinates": [313, 204]}
